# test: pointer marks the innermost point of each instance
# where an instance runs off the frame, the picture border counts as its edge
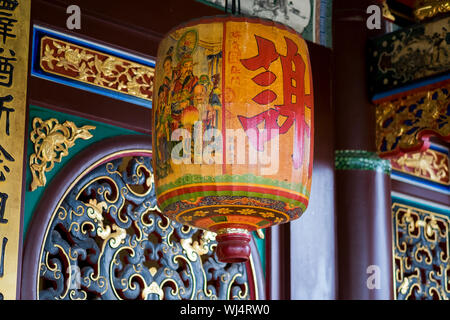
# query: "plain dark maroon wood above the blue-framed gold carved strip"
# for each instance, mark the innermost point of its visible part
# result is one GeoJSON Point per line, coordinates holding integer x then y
{"type": "Point", "coordinates": [137, 25]}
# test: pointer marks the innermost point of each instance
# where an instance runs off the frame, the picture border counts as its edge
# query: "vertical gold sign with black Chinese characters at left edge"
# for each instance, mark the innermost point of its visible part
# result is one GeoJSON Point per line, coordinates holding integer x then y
{"type": "Point", "coordinates": [14, 37]}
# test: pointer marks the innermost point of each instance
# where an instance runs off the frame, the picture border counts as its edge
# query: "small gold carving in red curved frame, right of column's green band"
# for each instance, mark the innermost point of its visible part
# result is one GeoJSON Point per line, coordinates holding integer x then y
{"type": "Point", "coordinates": [430, 164]}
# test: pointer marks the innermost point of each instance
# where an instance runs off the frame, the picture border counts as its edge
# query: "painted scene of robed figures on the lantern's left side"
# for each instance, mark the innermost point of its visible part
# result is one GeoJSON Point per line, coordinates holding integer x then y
{"type": "Point", "coordinates": [188, 93]}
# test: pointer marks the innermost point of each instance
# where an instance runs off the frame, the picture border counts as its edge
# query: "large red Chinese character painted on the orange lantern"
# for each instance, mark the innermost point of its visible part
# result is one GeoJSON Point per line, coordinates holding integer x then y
{"type": "Point", "coordinates": [295, 99]}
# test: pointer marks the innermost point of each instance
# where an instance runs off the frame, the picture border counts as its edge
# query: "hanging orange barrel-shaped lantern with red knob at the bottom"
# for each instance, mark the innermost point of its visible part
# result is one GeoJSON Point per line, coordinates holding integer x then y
{"type": "Point", "coordinates": [233, 128]}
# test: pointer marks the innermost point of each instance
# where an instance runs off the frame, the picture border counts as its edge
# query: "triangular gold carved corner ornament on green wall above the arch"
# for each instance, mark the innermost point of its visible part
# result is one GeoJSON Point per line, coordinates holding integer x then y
{"type": "Point", "coordinates": [52, 141]}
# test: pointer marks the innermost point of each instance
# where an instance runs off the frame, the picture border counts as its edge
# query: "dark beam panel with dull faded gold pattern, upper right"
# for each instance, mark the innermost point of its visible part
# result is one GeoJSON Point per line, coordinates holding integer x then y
{"type": "Point", "coordinates": [406, 56]}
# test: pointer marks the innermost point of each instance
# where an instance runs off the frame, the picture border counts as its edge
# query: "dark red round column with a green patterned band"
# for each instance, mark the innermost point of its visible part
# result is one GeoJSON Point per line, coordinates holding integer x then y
{"type": "Point", "coordinates": [364, 227]}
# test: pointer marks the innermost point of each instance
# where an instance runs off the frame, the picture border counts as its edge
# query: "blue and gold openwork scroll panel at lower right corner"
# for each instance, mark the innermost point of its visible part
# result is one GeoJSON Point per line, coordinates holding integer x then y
{"type": "Point", "coordinates": [421, 254]}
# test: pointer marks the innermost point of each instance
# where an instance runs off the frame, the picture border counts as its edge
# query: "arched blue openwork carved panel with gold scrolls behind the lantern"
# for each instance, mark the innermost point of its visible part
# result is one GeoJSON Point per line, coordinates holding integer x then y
{"type": "Point", "coordinates": [107, 240]}
